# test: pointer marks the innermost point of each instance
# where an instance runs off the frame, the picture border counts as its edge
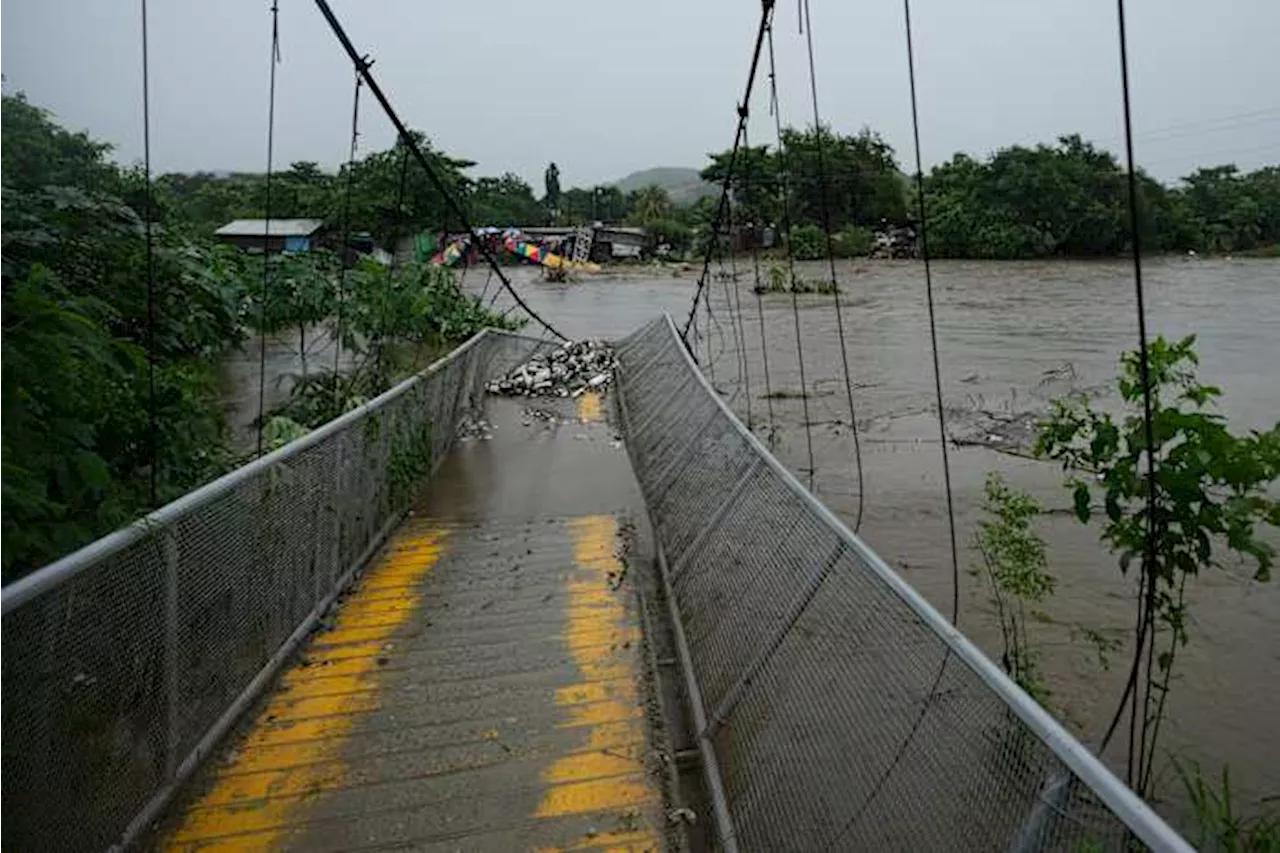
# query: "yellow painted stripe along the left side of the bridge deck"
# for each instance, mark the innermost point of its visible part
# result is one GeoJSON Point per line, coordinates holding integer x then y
{"type": "Point", "coordinates": [278, 767]}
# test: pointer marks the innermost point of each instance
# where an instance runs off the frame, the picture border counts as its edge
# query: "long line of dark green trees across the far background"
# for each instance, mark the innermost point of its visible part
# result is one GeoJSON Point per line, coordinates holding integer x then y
{"type": "Point", "coordinates": [1068, 199]}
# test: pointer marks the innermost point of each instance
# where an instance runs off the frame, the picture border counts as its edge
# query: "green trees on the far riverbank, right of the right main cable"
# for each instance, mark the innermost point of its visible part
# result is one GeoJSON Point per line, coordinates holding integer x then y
{"type": "Point", "coordinates": [1067, 199]}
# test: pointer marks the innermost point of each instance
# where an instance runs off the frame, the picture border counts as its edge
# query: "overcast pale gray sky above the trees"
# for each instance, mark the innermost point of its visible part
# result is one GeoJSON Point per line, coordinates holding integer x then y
{"type": "Point", "coordinates": [605, 88]}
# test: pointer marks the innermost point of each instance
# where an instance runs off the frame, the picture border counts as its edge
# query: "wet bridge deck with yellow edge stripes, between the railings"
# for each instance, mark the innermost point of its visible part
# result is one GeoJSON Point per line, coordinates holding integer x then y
{"type": "Point", "coordinates": [482, 688]}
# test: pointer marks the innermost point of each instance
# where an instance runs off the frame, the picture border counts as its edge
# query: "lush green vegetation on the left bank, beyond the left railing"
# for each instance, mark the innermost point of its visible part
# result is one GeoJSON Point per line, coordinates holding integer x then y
{"type": "Point", "coordinates": [109, 389]}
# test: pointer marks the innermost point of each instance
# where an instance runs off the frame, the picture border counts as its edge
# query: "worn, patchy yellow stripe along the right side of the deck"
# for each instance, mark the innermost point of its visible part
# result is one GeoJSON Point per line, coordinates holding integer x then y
{"type": "Point", "coordinates": [618, 782]}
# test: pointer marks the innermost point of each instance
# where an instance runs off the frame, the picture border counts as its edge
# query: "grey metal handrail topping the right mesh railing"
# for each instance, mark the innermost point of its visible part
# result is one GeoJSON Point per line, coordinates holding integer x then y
{"type": "Point", "coordinates": [1140, 818]}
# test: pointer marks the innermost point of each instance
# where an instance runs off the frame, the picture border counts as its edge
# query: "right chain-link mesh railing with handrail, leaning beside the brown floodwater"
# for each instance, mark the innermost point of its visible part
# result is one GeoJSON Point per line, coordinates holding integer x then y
{"type": "Point", "coordinates": [838, 710]}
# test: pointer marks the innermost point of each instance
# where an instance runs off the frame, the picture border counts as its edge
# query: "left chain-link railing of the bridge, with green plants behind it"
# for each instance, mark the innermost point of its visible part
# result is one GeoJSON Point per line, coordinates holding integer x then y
{"type": "Point", "coordinates": [124, 663]}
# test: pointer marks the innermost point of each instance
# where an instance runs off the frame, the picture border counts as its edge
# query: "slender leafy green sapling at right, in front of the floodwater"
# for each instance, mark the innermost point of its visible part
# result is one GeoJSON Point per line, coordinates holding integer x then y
{"type": "Point", "coordinates": [1205, 500]}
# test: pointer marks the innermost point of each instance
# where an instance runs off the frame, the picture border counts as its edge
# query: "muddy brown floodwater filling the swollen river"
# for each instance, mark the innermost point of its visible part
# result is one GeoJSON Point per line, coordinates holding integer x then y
{"type": "Point", "coordinates": [1012, 337]}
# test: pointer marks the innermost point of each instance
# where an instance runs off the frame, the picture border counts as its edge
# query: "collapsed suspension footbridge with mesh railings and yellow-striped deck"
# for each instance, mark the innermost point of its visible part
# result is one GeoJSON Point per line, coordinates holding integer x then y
{"type": "Point", "coordinates": [629, 628]}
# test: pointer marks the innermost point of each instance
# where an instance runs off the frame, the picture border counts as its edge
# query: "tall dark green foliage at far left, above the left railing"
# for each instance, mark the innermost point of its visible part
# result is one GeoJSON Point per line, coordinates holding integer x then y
{"type": "Point", "coordinates": [75, 418]}
